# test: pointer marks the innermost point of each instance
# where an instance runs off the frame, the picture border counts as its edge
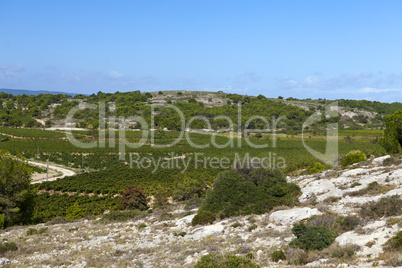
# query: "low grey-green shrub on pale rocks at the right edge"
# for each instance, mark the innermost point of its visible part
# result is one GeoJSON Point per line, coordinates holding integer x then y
{"type": "Point", "coordinates": [385, 207]}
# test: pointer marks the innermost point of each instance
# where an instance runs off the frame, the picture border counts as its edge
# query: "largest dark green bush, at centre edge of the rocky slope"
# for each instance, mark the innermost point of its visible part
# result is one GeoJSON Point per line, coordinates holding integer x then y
{"type": "Point", "coordinates": [249, 191]}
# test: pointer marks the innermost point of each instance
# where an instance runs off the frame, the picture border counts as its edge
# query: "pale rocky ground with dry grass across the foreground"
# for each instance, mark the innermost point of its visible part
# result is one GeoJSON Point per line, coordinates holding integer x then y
{"type": "Point", "coordinates": [165, 237]}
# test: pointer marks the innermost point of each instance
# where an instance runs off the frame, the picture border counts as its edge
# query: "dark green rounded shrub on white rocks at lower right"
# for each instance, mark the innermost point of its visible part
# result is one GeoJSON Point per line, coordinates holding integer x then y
{"type": "Point", "coordinates": [312, 237]}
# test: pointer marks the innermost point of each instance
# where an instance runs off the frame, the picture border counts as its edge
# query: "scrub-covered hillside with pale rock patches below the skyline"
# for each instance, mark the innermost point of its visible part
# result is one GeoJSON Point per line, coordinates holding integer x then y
{"type": "Point", "coordinates": [51, 110]}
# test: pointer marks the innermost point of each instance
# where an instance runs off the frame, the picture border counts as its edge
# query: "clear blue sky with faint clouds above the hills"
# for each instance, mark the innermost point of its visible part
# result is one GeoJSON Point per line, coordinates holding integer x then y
{"type": "Point", "coordinates": [303, 49]}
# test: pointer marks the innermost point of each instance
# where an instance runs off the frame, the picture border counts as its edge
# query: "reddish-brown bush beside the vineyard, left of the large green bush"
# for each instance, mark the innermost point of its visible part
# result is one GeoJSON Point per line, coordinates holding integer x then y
{"type": "Point", "coordinates": [133, 198]}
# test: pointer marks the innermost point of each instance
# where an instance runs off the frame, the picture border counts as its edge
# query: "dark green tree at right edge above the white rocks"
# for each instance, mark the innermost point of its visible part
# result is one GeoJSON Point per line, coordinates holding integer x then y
{"type": "Point", "coordinates": [392, 141]}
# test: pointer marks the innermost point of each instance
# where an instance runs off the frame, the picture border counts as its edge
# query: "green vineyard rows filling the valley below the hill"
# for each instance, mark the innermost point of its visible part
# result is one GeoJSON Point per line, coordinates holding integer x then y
{"type": "Point", "coordinates": [105, 175]}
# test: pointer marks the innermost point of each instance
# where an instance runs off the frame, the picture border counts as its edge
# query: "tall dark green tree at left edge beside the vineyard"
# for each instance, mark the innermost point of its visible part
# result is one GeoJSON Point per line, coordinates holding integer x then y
{"type": "Point", "coordinates": [16, 192]}
